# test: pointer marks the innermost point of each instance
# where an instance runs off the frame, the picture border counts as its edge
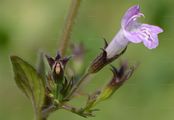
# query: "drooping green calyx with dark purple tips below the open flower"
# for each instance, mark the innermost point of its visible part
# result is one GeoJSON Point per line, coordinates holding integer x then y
{"type": "Point", "coordinates": [119, 77]}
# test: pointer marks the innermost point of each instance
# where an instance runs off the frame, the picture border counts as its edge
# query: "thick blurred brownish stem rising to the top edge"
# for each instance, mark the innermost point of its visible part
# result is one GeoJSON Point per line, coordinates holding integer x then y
{"type": "Point", "coordinates": [68, 26]}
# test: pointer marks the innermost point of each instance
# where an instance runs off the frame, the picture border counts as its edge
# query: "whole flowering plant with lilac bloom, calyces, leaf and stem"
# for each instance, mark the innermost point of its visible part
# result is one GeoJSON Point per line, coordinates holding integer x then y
{"type": "Point", "coordinates": [54, 90]}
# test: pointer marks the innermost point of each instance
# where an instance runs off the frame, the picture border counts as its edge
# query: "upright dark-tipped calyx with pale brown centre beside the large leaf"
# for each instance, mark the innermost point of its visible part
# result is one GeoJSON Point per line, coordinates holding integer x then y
{"type": "Point", "coordinates": [57, 84]}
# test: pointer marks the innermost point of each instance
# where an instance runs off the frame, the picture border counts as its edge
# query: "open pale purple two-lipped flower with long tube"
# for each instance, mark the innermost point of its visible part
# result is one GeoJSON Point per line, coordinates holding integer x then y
{"type": "Point", "coordinates": [133, 31]}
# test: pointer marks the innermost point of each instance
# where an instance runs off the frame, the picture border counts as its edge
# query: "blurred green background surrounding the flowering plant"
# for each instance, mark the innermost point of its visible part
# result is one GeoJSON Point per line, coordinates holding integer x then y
{"type": "Point", "coordinates": [27, 26]}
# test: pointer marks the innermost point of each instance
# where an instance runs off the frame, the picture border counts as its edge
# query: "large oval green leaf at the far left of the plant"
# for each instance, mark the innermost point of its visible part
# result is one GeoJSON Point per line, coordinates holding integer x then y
{"type": "Point", "coordinates": [29, 81]}
